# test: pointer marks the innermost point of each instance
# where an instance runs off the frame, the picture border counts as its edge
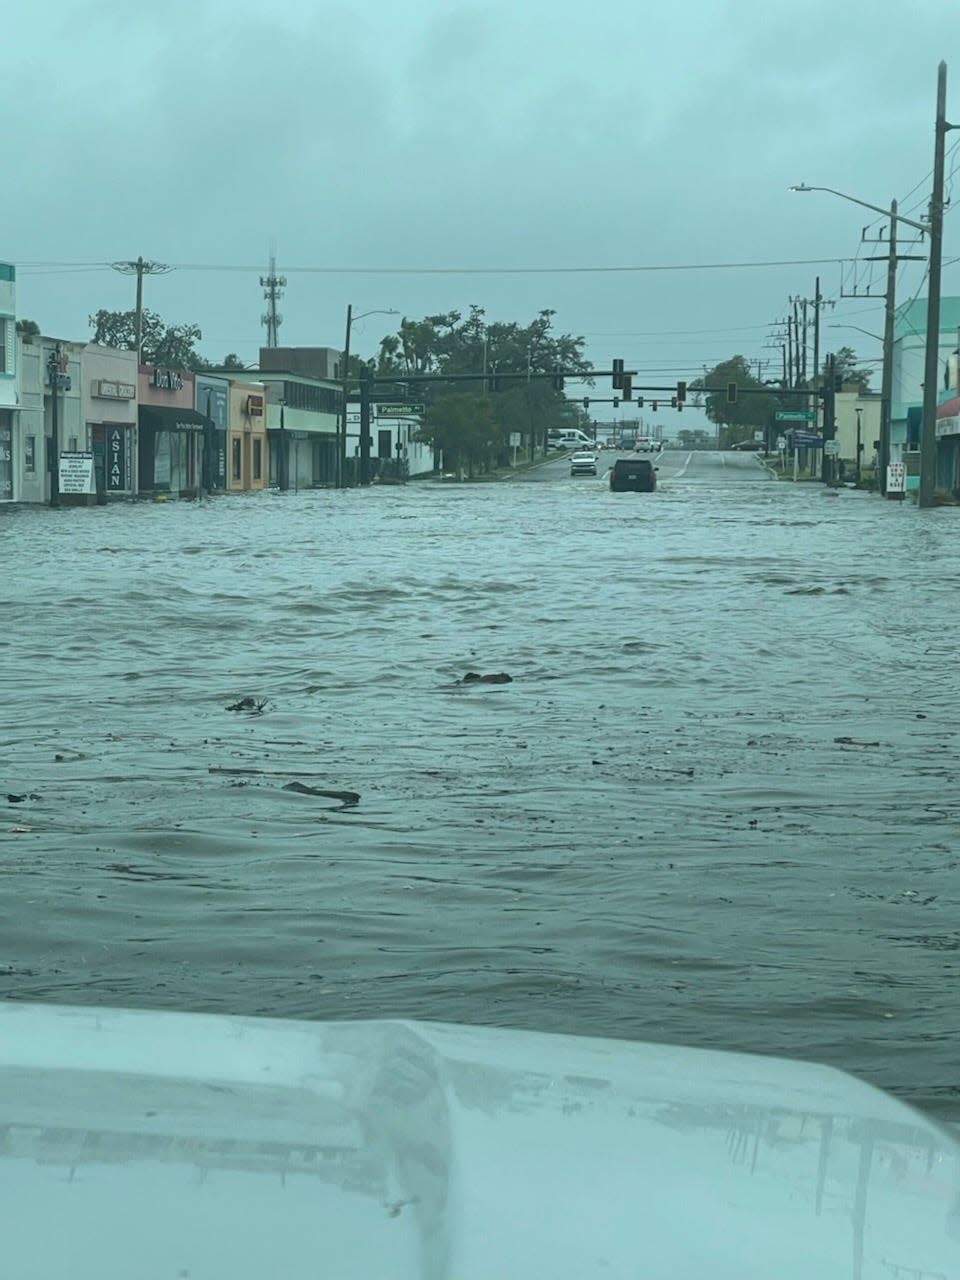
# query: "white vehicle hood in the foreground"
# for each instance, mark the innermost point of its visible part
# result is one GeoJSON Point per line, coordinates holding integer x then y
{"type": "Point", "coordinates": [196, 1148]}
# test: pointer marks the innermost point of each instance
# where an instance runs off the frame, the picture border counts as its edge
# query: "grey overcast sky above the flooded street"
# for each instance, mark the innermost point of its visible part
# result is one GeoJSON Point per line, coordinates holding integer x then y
{"type": "Point", "coordinates": [435, 135]}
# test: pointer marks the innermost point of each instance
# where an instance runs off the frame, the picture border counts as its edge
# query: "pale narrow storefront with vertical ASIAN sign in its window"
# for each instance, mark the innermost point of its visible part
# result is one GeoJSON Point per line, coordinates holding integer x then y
{"type": "Point", "coordinates": [109, 401]}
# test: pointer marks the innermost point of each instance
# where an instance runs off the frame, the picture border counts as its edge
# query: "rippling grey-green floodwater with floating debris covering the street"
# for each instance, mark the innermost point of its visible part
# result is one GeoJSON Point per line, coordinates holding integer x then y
{"type": "Point", "coordinates": [716, 806]}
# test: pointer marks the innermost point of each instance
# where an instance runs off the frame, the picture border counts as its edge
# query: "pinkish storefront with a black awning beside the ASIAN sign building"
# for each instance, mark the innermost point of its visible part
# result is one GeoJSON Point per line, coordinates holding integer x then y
{"type": "Point", "coordinates": [171, 433]}
